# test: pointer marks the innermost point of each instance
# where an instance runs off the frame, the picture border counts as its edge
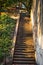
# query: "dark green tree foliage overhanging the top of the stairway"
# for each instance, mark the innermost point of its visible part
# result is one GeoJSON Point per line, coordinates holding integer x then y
{"type": "Point", "coordinates": [6, 3]}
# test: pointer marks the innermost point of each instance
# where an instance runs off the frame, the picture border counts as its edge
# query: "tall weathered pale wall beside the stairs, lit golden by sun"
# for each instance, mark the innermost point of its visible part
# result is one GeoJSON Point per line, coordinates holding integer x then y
{"type": "Point", "coordinates": [37, 22]}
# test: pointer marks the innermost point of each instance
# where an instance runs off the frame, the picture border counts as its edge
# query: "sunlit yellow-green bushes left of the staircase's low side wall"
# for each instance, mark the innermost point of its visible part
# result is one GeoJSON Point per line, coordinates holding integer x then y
{"type": "Point", "coordinates": [6, 27]}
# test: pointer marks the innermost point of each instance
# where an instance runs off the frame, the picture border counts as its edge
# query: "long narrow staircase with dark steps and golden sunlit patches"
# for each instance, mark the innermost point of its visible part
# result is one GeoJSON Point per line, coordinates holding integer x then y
{"type": "Point", "coordinates": [24, 53]}
